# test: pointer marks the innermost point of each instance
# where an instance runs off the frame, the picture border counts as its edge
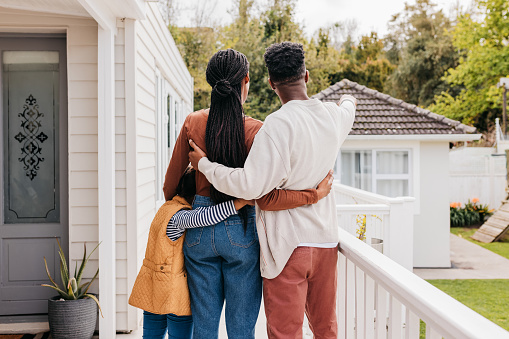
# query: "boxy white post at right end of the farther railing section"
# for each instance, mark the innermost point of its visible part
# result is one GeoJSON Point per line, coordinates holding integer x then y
{"type": "Point", "coordinates": [399, 235]}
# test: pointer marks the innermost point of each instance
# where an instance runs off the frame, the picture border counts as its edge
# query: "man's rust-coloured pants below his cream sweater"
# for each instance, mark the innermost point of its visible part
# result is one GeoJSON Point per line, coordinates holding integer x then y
{"type": "Point", "coordinates": [308, 283]}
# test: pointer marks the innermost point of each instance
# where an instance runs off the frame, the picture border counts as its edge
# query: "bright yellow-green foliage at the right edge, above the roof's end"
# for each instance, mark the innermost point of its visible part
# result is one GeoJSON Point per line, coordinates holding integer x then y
{"type": "Point", "coordinates": [482, 40]}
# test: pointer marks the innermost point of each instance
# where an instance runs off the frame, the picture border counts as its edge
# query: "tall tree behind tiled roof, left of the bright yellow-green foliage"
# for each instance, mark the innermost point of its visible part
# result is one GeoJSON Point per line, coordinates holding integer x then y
{"type": "Point", "coordinates": [420, 43]}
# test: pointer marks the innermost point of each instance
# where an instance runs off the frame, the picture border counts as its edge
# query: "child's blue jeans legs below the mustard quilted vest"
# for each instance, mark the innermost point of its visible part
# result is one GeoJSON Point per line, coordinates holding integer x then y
{"type": "Point", "coordinates": [155, 326]}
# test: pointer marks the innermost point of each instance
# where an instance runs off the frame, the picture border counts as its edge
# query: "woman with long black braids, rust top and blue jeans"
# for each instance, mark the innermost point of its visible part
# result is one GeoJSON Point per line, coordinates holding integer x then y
{"type": "Point", "coordinates": [222, 261]}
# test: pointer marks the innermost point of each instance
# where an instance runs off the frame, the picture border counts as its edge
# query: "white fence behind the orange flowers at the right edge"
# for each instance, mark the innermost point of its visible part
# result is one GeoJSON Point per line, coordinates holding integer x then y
{"type": "Point", "coordinates": [476, 172]}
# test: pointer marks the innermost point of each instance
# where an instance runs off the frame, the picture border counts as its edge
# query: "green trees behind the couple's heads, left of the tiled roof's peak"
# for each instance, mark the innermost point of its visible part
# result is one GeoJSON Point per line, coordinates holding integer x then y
{"type": "Point", "coordinates": [250, 34]}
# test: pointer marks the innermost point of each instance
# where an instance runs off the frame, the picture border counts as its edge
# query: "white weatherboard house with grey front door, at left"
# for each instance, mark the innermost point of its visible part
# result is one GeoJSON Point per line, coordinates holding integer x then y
{"type": "Point", "coordinates": [93, 96]}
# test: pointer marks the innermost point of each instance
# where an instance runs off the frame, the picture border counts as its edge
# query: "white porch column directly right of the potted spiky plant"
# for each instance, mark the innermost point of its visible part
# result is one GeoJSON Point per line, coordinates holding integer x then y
{"type": "Point", "coordinates": [106, 181]}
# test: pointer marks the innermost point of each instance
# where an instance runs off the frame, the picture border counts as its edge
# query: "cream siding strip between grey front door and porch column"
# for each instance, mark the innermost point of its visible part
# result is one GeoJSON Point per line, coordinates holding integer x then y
{"type": "Point", "coordinates": [82, 96]}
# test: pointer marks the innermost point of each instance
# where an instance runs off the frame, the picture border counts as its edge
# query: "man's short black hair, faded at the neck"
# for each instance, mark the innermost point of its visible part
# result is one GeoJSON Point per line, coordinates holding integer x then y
{"type": "Point", "coordinates": [285, 62]}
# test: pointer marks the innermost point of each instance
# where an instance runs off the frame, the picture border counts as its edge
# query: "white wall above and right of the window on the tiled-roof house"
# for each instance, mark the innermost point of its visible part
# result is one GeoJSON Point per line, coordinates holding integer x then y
{"type": "Point", "coordinates": [430, 173]}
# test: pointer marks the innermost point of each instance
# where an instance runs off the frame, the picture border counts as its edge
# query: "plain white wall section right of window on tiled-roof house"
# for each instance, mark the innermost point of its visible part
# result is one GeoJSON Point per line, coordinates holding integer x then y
{"type": "Point", "coordinates": [431, 230]}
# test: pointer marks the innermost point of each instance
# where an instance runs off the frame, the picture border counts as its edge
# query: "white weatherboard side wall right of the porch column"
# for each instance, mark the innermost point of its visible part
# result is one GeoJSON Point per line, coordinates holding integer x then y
{"type": "Point", "coordinates": [155, 51]}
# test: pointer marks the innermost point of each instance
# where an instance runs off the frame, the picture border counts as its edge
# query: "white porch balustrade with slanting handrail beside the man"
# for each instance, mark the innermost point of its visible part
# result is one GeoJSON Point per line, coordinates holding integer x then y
{"type": "Point", "coordinates": [378, 295]}
